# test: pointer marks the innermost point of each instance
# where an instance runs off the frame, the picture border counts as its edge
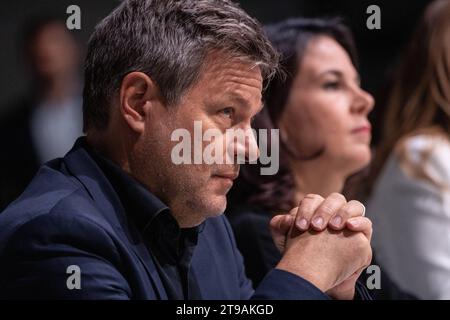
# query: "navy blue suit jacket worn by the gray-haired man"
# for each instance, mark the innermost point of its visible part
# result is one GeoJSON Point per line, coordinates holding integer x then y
{"type": "Point", "coordinates": [70, 214]}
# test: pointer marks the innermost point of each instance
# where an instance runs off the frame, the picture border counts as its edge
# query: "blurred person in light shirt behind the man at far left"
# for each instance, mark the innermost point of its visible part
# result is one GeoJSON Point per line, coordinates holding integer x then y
{"type": "Point", "coordinates": [45, 122]}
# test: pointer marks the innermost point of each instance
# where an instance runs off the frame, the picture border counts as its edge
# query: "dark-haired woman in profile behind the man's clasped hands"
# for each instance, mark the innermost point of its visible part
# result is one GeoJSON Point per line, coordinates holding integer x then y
{"type": "Point", "coordinates": [321, 113]}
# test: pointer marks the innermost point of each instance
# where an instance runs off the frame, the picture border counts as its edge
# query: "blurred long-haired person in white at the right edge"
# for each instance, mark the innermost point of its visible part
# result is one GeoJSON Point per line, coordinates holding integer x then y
{"type": "Point", "coordinates": [410, 182]}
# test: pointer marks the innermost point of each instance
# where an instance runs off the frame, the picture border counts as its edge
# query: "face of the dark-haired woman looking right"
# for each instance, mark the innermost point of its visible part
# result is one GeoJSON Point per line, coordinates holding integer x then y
{"type": "Point", "coordinates": [327, 110]}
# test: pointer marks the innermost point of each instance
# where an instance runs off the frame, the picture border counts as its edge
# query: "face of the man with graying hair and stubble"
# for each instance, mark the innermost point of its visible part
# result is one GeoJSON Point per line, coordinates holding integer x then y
{"type": "Point", "coordinates": [227, 96]}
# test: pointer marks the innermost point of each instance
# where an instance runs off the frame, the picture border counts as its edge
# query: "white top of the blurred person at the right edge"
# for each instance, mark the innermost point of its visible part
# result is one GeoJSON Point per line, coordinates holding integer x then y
{"type": "Point", "coordinates": [411, 220]}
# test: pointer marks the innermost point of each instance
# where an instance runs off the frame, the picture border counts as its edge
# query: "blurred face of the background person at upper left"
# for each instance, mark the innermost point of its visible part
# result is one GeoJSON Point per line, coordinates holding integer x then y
{"type": "Point", "coordinates": [53, 52]}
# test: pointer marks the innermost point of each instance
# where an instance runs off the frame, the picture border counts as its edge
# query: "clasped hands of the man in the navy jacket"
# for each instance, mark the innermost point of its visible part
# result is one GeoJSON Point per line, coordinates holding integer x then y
{"type": "Point", "coordinates": [325, 241]}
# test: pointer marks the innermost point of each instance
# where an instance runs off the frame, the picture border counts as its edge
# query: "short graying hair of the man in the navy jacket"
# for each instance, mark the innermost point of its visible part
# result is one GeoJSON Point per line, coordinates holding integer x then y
{"type": "Point", "coordinates": [168, 40]}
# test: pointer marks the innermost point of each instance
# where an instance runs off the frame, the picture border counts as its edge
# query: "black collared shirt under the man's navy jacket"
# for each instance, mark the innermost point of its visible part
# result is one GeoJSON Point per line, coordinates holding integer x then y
{"type": "Point", "coordinates": [171, 247]}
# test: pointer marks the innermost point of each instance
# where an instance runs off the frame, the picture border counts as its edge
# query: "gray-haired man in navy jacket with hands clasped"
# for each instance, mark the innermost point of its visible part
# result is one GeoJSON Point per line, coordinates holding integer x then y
{"type": "Point", "coordinates": [117, 219]}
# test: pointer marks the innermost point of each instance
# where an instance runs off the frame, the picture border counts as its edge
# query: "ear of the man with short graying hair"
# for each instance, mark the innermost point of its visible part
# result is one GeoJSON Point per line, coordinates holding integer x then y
{"type": "Point", "coordinates": [137, 93]}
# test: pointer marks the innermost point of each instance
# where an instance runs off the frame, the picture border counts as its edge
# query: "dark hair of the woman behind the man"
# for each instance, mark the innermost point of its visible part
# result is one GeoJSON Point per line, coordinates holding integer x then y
{"type": "Point", "coordinates": [291, 37]}
